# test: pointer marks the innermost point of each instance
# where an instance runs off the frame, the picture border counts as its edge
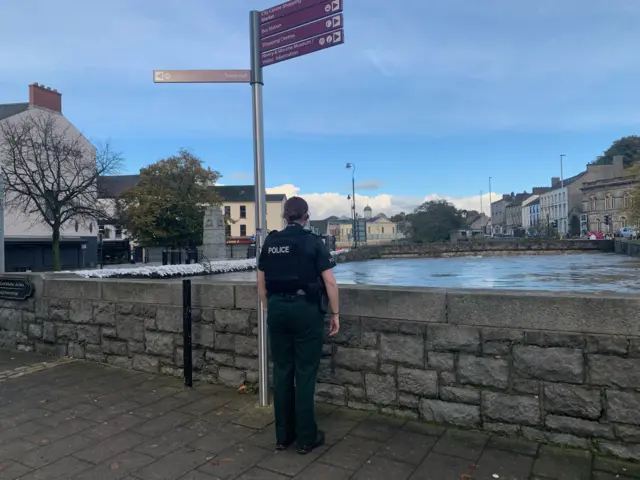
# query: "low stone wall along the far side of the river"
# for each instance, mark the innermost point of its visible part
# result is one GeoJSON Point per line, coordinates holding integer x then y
{"type": "Point", "coordinates": [483, 246]}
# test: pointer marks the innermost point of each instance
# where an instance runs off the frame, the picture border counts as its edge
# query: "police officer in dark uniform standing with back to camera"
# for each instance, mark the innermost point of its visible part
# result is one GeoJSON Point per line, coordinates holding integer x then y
{"type": "Point", "coordinates": [294, 277]}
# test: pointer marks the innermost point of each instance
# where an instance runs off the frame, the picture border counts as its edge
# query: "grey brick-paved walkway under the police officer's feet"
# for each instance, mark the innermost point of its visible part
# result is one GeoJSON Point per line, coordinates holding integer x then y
{"type": "Point", "coordinates": [75, 420]}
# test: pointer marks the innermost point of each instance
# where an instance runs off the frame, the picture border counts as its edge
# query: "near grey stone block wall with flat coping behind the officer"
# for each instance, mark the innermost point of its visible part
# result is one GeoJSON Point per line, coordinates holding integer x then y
{"type": "Point", "coordinates": [560, 368]}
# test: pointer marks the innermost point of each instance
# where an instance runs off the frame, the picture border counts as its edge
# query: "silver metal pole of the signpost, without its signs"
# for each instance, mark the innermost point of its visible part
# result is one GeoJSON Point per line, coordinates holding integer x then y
{"type": "Point", "coordinates": [260, 194]}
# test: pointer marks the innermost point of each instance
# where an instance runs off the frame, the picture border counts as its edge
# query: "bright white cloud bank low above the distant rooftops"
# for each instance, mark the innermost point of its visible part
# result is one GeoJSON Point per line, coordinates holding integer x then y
{"type": "Point", "coordinates": [323, 205]}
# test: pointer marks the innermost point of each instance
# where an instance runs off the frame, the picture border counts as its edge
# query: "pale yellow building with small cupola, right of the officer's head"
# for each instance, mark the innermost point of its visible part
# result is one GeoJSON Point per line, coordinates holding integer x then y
{"type": "Point", "coordinates": [378, 229]}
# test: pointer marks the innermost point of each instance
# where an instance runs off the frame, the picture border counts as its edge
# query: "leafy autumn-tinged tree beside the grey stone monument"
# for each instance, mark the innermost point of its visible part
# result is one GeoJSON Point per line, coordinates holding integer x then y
{"type": "Point", "coordinates": [166, 207]}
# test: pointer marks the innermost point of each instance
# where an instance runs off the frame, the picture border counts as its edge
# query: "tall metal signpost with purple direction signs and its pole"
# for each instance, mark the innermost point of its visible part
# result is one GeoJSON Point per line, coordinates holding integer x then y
{"type": "Point", "coordinates": [289, 30]}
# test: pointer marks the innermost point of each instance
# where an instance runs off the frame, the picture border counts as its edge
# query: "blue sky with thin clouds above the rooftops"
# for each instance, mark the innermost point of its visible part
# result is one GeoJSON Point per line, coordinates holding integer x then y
{"type": "Point", "coordinates": [427, 98]}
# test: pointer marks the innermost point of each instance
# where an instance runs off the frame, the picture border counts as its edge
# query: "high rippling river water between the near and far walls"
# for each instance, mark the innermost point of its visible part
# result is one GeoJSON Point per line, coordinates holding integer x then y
{"type": "Point", "coordinates": [578, 272]}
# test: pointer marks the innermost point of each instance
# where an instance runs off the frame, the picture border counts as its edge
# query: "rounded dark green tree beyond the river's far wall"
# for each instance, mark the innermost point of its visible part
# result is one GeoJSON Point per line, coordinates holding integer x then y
{"type": "Point", "coordinates": [433, 221]}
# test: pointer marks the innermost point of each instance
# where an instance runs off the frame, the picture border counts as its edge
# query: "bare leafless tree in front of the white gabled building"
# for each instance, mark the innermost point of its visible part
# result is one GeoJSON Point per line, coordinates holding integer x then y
{"type": "Point", "coordinates": [51, 174]}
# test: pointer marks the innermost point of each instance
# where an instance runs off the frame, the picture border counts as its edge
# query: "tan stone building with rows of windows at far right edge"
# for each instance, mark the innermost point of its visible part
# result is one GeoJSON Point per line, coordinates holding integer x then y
{"type": "Point", "coordinates": [607, 198]}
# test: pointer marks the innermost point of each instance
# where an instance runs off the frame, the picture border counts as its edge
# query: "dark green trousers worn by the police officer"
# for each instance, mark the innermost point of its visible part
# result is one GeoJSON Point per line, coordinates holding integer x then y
{"type": "Point", "coordinates": [296, 329]}
